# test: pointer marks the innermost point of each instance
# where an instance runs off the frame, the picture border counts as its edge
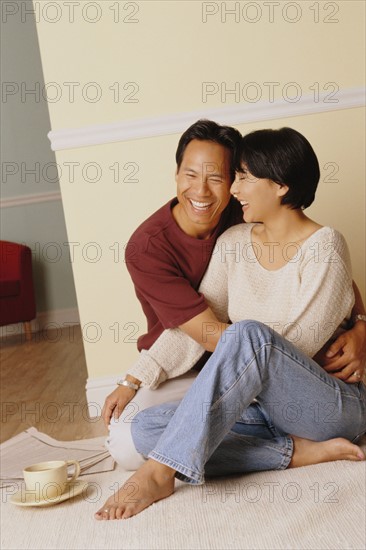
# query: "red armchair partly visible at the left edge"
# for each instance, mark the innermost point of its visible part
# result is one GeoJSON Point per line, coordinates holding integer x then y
{"type": "Point", "coordinates": [17, 303]}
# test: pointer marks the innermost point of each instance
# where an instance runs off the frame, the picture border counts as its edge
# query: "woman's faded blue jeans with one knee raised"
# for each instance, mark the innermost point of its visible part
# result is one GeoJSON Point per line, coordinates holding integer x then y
{"type": "Point", "coordinates": [217, 429]}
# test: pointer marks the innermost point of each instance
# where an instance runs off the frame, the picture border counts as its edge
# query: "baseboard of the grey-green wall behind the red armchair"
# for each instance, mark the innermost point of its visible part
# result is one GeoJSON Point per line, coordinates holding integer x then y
{"type": "Point", "coordinates": [45, 321]}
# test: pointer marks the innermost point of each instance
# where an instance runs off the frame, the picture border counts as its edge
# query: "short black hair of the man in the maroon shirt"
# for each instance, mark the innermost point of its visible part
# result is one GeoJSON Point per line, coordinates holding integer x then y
{"type": "Point", "coordinates": [208, 130]}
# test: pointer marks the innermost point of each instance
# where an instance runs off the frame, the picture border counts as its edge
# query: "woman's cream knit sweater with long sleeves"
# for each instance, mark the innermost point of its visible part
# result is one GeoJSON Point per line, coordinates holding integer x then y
{"type": "Point", "coordinates": [305, 301]}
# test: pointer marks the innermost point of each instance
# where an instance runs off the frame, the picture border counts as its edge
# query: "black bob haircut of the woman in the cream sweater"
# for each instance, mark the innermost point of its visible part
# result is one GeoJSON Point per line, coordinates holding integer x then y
{"type": "Point", "coordinates": [284, 156]}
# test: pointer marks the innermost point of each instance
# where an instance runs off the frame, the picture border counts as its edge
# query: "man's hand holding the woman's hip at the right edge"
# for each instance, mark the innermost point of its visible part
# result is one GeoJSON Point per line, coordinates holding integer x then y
{"type": "Point", "coordinates": [347, 355]}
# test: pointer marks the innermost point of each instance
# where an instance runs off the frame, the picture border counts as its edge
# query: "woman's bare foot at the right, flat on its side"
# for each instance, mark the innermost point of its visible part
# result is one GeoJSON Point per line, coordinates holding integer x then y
{"type": "Point", "coordinates": [308, 452]}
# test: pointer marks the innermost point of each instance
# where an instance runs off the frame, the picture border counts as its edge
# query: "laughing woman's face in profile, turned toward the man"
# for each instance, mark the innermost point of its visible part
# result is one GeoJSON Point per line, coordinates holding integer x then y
{"type": "Point", "coordinates": [260, 197]}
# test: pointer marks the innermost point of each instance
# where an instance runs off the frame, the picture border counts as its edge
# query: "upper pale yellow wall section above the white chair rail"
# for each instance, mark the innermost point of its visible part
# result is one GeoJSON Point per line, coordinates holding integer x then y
{"type": "Point", "coordinates": [170, 52]}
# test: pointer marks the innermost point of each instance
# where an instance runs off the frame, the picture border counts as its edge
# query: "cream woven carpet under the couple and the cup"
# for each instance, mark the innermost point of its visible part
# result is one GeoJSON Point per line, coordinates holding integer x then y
{"type": "Point", "coordinates": [311, 508]}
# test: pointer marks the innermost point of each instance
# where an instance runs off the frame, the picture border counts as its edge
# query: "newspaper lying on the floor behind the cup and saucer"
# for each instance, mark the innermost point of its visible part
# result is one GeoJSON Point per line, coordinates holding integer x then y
{"type": "Point", "coordinates": [32, 446]}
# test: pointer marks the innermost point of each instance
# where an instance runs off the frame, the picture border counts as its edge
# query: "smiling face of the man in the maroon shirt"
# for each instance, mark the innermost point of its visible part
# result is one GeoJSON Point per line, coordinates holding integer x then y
{"type": "Point", "coordinates": [203, 187]}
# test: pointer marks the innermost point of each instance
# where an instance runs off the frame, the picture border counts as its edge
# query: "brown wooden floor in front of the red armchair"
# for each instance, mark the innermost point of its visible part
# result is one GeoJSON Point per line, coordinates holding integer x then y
{"type": "Point", "coordinates": [43, 385]}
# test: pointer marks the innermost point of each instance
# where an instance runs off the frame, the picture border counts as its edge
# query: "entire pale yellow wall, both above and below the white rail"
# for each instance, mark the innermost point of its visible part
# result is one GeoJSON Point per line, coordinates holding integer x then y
{"type": "Point", "coordinates": [169, 53]}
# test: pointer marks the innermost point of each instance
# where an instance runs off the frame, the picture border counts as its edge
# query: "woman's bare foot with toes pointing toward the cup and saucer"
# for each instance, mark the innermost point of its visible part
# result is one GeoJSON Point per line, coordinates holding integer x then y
{"type": "Point", "coordinates": [152, 482]}
